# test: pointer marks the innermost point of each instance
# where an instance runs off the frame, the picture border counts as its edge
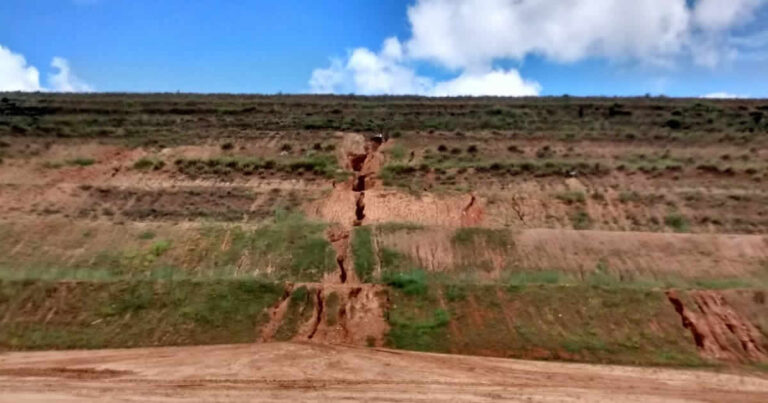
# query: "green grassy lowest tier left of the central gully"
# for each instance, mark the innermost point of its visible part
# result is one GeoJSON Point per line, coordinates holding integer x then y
{"type": "Point", "coordinates": [43, 315]}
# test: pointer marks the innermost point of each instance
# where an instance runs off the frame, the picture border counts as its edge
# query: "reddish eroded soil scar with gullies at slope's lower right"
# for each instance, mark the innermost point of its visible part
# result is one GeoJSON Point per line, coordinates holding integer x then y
{"type": "Point", "coordinates": [718, 330]}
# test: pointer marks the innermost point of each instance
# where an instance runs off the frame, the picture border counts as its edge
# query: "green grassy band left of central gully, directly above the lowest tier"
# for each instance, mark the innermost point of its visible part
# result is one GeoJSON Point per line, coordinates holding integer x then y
{"type": "Point", "coordinates": [288, 248]}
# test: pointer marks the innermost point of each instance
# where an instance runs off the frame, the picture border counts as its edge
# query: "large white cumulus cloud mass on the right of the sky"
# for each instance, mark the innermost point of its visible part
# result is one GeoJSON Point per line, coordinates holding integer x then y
{"type": "Point", "coordinates": [469, 36]}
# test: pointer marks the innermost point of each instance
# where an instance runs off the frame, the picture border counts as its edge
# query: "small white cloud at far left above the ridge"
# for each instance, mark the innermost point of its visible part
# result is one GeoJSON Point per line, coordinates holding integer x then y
{"type": "Point", "coordinates": [16, 75]}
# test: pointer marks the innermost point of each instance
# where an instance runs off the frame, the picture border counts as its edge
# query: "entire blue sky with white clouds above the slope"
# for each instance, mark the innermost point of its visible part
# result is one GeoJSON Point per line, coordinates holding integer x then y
{"type": "Point", "coordinates": [691, 48]}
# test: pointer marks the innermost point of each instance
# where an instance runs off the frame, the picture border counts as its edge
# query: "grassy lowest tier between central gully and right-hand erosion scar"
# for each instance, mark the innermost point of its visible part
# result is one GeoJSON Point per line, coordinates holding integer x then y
{"type": "Point", "coordinates": [564, 322]}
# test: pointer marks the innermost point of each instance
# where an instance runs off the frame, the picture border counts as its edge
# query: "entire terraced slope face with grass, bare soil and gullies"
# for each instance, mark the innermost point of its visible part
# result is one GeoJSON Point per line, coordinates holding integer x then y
{"type": "Point", "coordinates": [621, 230]}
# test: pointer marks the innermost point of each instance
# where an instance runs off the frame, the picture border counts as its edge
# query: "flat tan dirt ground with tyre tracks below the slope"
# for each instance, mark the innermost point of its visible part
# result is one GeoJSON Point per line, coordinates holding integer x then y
{"type": "Point", "coordinates": [311, 372]}
